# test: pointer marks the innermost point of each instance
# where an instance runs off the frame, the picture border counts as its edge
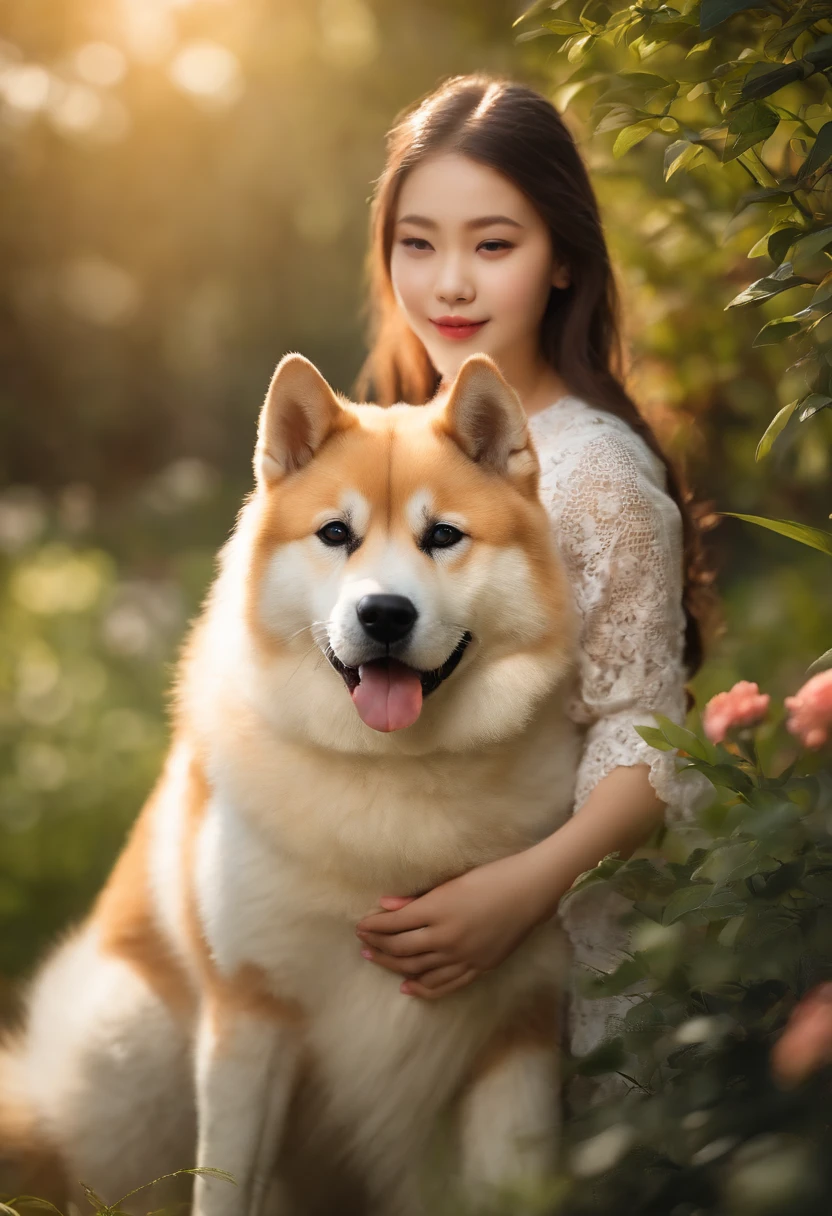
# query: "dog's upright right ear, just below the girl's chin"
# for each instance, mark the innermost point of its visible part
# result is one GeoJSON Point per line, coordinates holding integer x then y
{"type": "Point", "coordinates": [485, 418]}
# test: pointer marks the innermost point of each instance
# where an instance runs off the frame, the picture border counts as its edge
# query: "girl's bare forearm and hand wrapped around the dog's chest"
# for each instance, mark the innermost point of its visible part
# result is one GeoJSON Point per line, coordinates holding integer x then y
{"type": "Point", "coordinates": [468, 926]}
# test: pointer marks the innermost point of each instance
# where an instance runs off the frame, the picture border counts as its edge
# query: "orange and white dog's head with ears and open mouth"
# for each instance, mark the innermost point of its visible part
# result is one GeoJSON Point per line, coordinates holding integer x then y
{"type": "Point", "coordinates": [403, 577]}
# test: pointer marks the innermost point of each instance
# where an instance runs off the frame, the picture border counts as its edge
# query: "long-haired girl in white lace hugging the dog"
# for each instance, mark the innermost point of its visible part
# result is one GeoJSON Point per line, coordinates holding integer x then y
{"type": "Point", "coordinates": [486, 237]}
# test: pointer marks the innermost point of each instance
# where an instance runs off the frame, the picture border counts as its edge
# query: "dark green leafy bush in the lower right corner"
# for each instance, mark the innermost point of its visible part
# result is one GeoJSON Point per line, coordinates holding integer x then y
{"type": "Point", "coordinates": [726, 939]}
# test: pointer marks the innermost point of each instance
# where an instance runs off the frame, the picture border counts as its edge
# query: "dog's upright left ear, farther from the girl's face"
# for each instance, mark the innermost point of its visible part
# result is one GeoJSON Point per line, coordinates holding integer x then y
{"type": "Point", "coordinates": [300, 413]}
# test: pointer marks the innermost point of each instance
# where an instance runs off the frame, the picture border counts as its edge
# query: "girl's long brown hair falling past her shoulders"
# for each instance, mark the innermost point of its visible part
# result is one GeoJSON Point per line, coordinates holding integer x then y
{"type": "Point", "coordinates": [518, 132]}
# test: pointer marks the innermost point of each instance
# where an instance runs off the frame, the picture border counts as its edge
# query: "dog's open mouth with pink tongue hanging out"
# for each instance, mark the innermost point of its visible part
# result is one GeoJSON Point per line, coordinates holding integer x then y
{"type": "Point", "coordinates": [387, 694]}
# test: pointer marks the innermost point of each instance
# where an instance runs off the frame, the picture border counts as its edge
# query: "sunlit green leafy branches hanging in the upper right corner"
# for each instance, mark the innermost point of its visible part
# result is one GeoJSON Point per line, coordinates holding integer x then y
{"type": "Point", "coordinates": [724, 89]}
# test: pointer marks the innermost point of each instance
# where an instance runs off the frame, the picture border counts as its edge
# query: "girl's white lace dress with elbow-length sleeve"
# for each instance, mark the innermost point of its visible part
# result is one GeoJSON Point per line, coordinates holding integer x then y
{"type": "Point", "coordinates": [621, 537]}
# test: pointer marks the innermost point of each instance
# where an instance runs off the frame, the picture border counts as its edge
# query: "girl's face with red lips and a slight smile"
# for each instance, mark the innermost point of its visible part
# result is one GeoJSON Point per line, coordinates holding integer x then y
{"type": "Point", "coordinates": [473, 266]}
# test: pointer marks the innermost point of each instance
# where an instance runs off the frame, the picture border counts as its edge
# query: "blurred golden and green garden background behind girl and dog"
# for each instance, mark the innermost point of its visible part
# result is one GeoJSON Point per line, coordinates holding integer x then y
{"type": "Point", "coordinates": [184, 198]}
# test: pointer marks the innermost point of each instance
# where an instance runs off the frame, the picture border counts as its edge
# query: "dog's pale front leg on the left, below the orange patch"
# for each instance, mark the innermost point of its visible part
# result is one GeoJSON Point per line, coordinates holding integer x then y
{"type": "Point", "coordinates": [245, 1072]}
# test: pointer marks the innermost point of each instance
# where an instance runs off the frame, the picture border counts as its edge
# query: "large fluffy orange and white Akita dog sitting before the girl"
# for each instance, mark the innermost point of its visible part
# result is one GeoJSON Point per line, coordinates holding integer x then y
{"type": "Point", "coordinates": [372, 702]}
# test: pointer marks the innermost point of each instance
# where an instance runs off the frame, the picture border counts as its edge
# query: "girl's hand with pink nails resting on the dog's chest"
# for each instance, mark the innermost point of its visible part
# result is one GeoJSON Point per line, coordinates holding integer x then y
{"type": "Point", "coordinates": [468, 926]}
